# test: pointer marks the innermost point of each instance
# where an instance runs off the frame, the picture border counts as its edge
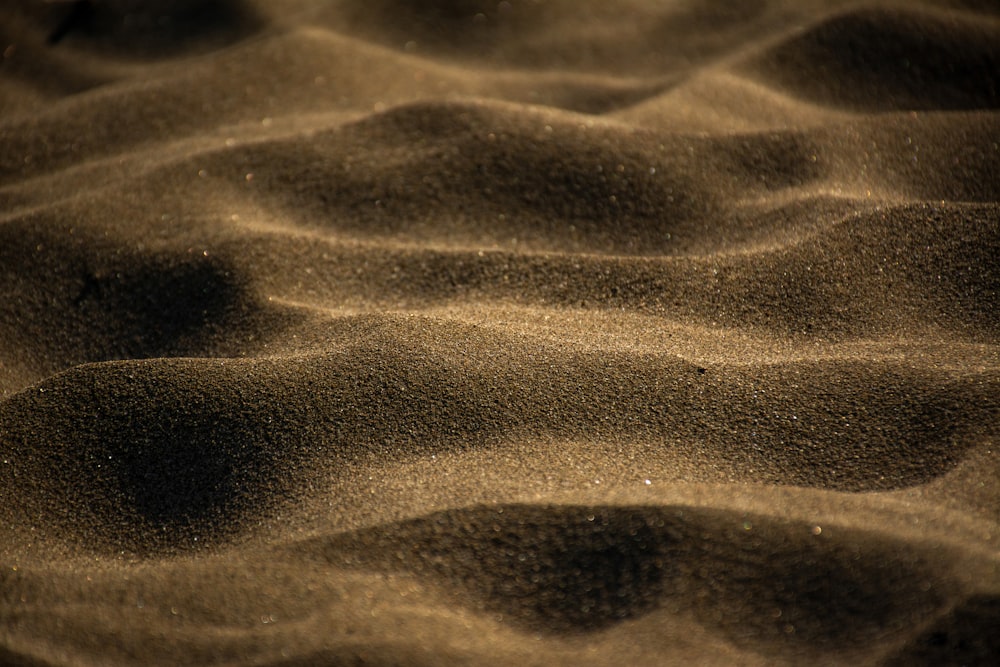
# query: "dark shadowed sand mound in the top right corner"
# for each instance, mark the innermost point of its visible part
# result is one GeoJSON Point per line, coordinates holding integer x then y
{"type": "Point", "coordinates": [891, 59]}
